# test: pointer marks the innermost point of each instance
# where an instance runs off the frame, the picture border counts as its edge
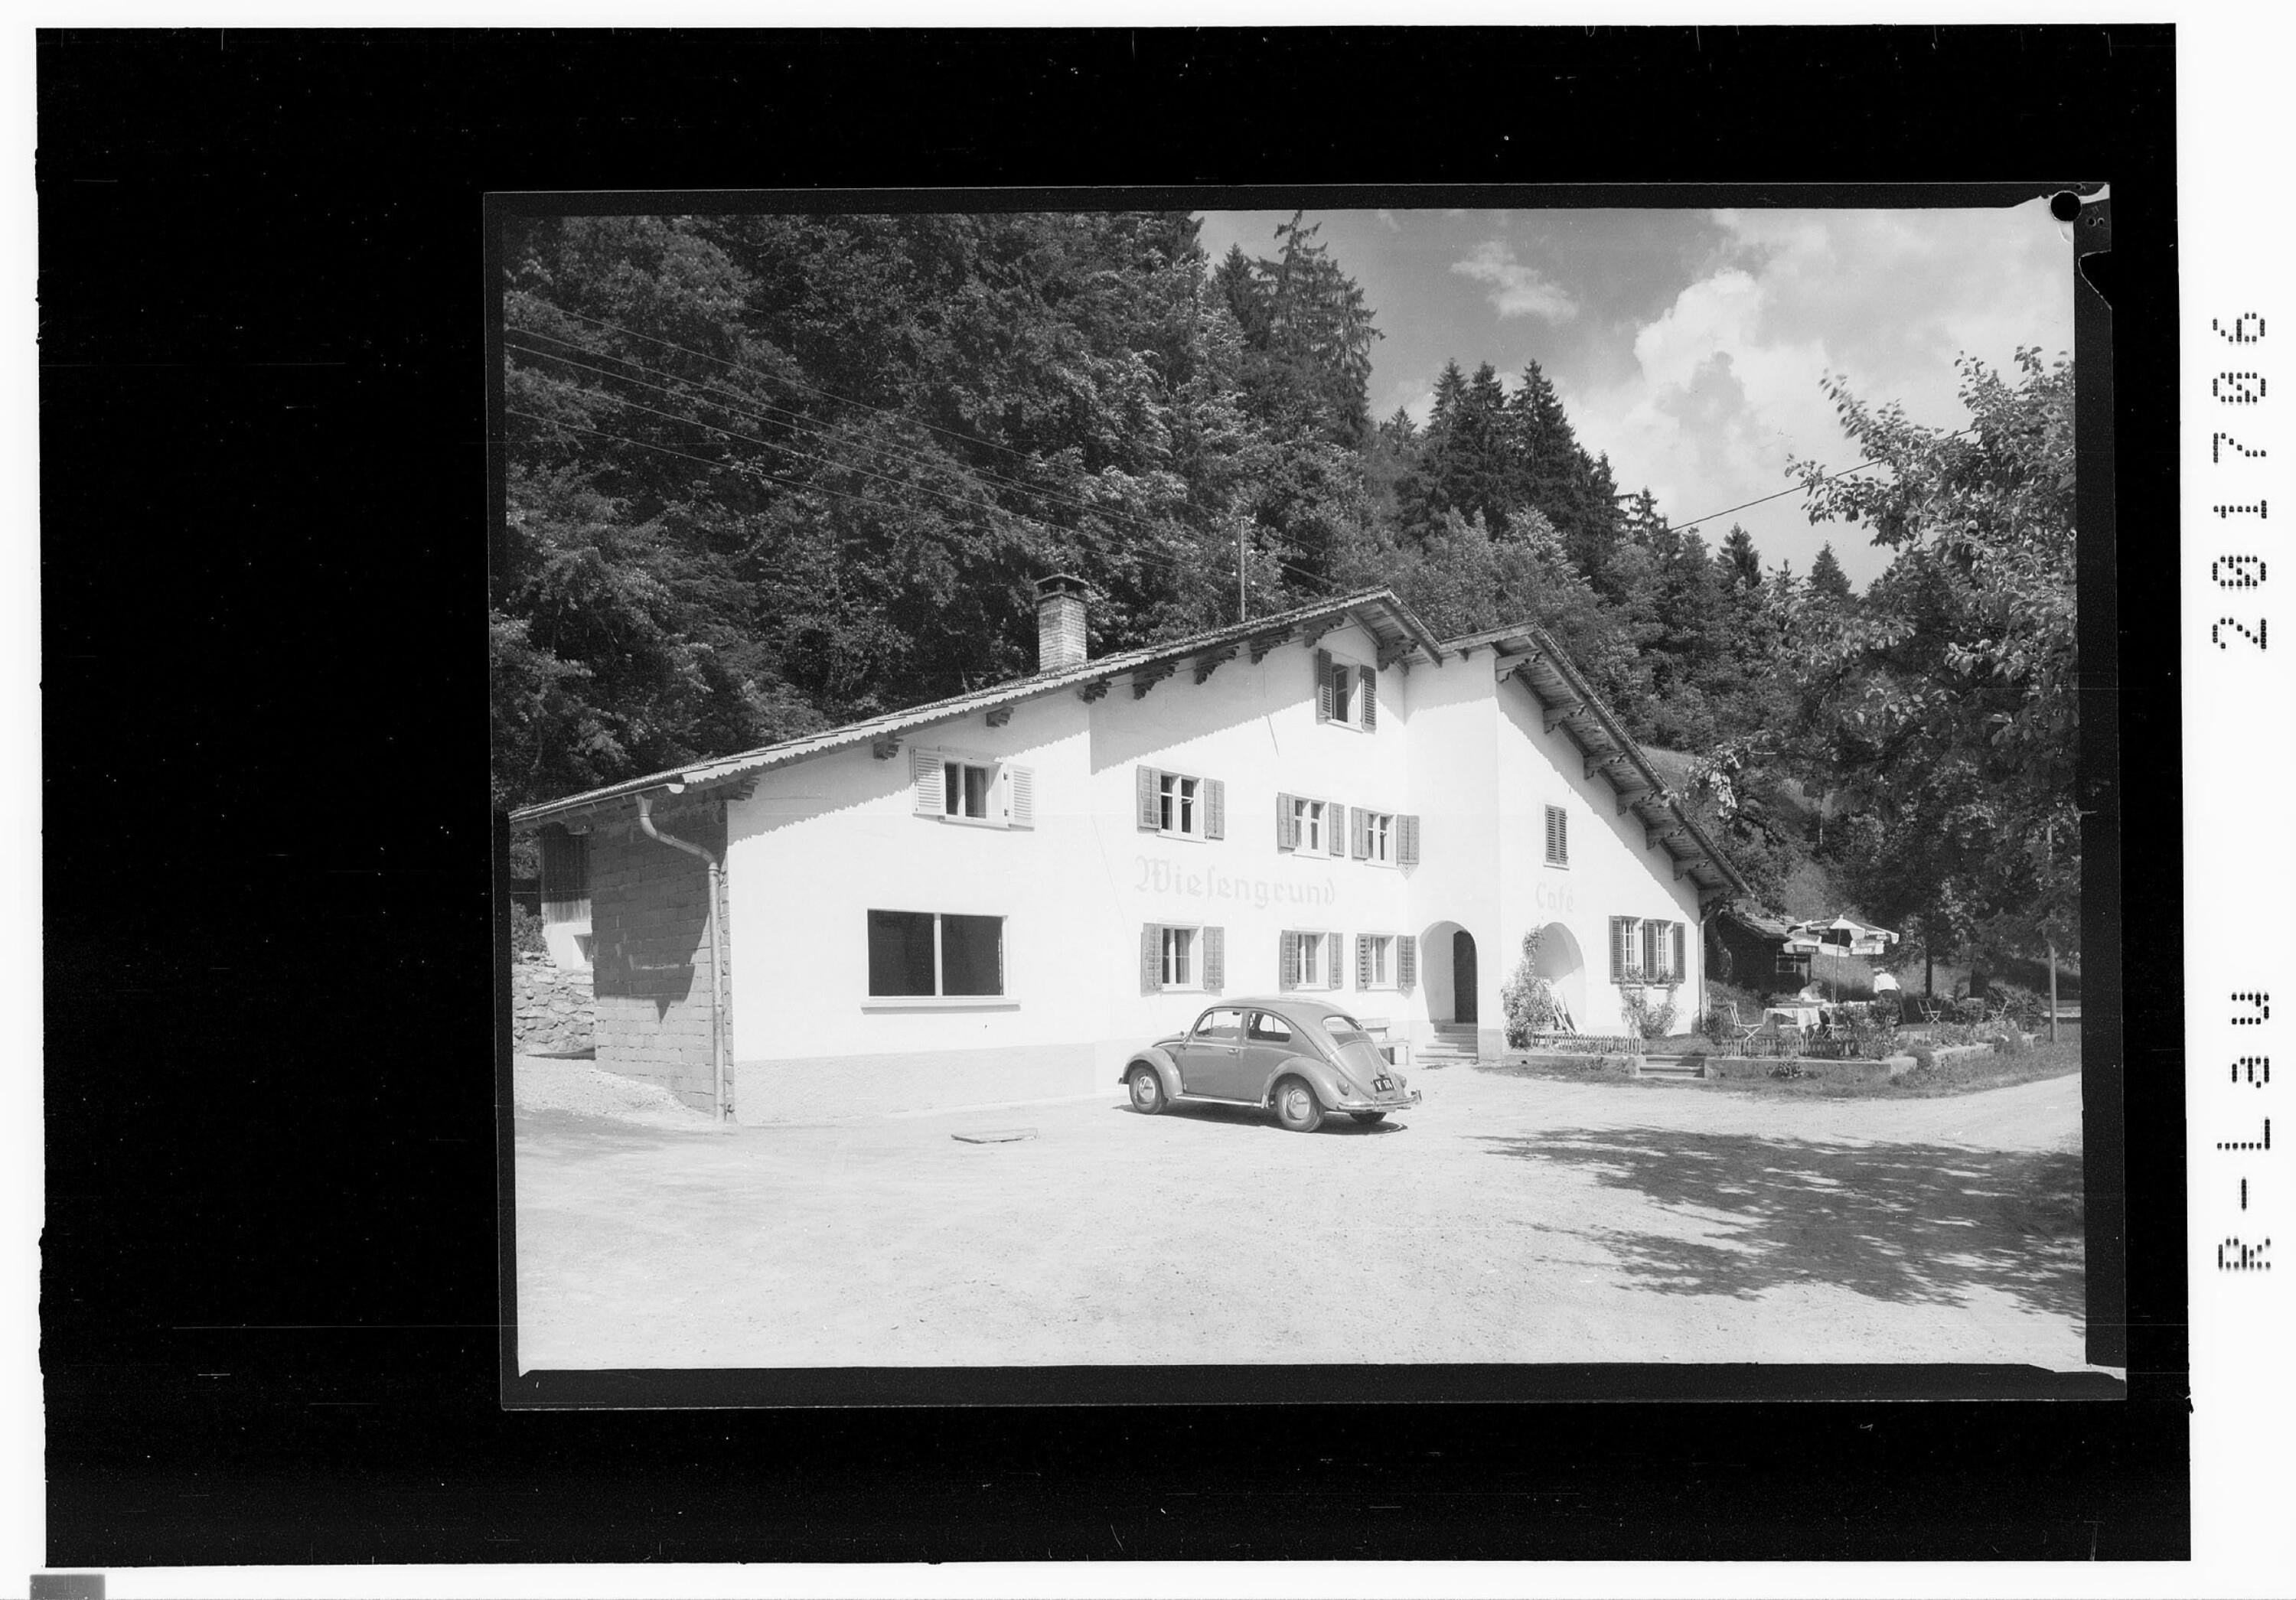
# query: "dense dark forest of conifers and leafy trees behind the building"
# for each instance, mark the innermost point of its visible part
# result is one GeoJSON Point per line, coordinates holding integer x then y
{"type": "Point", "coordinates": [773, 474]}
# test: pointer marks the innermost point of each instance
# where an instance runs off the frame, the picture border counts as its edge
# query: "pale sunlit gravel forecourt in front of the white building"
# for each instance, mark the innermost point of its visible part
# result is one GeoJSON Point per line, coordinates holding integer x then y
{"type": "Point", "coordinates": [1503, 1220]}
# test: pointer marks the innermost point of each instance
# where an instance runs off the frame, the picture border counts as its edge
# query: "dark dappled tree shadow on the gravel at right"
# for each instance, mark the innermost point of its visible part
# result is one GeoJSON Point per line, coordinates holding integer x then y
{"type": "Point", "coordinates": [1898, 1222]}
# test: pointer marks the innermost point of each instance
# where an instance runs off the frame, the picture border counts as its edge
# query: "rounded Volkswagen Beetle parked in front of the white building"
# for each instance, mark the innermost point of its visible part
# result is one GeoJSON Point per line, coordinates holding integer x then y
{"type": "Point", "coordinates": [1298, 1057]}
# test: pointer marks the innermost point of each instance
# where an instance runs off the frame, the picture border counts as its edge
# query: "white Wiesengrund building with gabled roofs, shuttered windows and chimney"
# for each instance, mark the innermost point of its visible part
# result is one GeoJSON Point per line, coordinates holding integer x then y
{"type": "Point", "coordinates": [1000, 896]}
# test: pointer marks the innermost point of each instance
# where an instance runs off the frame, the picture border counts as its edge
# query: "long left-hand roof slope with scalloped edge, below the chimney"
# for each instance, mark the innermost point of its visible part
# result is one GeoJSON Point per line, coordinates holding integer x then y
{"type": "Point", "coordinates": [1376, 612]}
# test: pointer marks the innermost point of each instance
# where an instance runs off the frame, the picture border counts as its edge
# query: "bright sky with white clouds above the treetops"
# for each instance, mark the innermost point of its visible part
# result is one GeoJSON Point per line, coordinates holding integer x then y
{"type": "Point", "coordinates": [1691, 345]}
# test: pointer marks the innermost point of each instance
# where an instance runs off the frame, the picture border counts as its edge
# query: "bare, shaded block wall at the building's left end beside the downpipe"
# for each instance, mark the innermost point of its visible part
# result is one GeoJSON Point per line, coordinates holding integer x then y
{"type": "Point", "coordinates": [651, 952]}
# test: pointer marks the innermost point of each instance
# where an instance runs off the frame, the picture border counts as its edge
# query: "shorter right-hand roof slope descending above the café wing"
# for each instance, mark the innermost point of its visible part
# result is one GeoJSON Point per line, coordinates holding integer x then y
{"type": "Point", "coordinates": [1530, 655]}
